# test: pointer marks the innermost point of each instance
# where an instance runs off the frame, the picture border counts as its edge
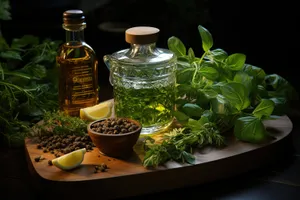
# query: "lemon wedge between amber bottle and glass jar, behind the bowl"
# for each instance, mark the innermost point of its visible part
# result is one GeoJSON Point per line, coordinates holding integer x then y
{"type": "Point", "coordinates": [99, 111]}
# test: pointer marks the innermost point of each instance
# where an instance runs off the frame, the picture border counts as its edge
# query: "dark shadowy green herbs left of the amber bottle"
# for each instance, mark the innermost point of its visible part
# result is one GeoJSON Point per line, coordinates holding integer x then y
{"type": "Point", "coordinates": [28, 82]}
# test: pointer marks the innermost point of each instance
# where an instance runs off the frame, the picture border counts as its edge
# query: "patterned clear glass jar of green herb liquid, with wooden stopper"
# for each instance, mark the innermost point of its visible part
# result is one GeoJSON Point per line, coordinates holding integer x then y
{"type": "Point", "coordinates": [143, 80]}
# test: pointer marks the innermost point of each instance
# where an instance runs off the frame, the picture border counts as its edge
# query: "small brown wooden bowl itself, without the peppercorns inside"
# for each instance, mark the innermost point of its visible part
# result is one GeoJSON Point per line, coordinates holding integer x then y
{"type": "Point", "coordinates": [115, 145]}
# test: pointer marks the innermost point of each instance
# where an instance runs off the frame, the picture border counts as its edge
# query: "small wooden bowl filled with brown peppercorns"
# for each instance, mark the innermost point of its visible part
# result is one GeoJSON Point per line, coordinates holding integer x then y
{"type": "Point", "coordinates": [115, 137]}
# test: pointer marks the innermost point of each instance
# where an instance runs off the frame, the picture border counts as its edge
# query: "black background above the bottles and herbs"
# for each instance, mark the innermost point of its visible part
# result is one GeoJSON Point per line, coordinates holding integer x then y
{"type": "Point", "coordinates": [265, 31]}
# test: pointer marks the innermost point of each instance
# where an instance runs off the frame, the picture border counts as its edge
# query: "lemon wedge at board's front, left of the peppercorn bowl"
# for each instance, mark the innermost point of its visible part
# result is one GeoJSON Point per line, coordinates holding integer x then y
{"type": "Point", "coordinates": [70, 160]}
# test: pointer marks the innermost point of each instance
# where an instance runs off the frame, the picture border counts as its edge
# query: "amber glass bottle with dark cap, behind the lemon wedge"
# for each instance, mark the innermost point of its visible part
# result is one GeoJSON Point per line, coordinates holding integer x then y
{"type": "Point", "coordinates": [78, 67]}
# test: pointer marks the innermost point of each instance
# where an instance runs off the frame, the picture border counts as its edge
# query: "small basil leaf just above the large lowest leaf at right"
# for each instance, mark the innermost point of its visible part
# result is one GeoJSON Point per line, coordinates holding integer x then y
{"type": "Point", "coordinates": [264, 109]}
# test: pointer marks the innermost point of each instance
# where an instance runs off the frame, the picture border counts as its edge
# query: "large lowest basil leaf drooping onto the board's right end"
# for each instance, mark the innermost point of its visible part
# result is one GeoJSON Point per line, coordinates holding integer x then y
{"type": "Point", "coordinates": [250, 129]}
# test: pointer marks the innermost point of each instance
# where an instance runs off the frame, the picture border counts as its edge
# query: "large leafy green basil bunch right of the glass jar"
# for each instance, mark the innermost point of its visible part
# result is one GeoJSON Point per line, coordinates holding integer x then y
{"type": "Point", "coordinates": [236, 95]}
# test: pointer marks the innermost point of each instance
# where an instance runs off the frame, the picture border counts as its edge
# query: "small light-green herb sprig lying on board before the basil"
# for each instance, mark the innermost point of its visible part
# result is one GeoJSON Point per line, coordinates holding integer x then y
{"type": "Point", "coordinates": [178, 144]}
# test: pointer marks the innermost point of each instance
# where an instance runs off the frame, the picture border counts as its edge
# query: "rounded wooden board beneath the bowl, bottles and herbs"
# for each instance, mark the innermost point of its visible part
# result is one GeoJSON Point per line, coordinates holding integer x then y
{"type": "Point", "coordinates": [128, 178]}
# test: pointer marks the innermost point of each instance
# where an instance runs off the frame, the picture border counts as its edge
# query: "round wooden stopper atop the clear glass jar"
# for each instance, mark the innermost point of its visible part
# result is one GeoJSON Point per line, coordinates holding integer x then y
{"type": "Point", "coordinates": [141, 35]}
